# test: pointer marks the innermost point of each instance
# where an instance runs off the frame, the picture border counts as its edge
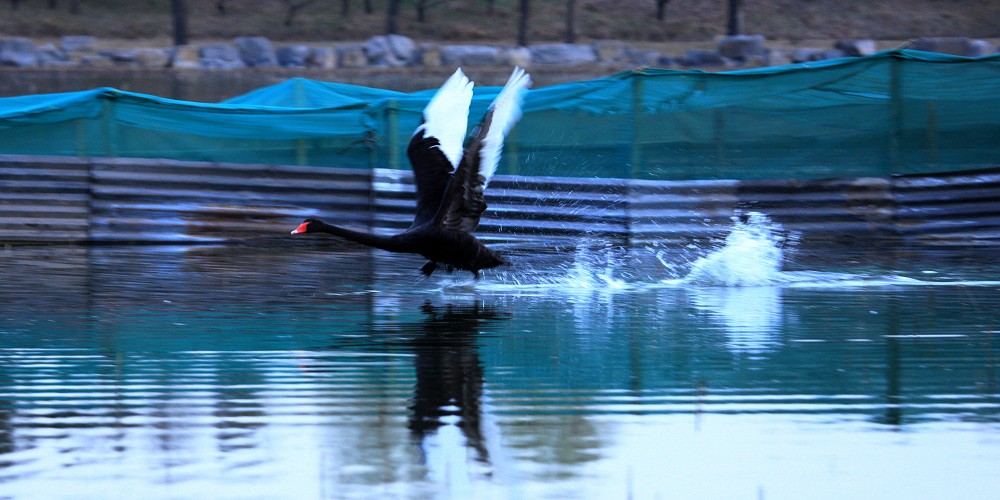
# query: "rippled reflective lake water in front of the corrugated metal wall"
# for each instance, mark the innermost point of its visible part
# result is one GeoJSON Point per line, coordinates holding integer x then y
{"type": "Point", "coordinates": [316, 369]}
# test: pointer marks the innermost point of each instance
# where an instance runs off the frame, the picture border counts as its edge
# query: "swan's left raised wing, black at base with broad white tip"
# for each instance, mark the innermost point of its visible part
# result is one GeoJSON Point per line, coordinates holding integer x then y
{"type": "Point", "coordinates": [436, 147]}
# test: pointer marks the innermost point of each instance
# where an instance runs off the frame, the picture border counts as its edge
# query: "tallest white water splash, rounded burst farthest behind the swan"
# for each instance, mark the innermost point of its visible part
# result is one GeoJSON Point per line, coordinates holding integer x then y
{"type": "Point", "coordinates": [751, 255]}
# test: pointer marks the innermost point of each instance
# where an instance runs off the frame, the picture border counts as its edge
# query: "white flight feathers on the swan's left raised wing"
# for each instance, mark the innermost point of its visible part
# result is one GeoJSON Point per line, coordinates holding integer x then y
{"type": "Point", "coordinates": [446, 116]}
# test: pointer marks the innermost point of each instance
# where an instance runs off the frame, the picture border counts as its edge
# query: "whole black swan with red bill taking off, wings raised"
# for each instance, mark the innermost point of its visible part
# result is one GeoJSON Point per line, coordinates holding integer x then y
{"type": "Point", "coordinates": [450, 180]}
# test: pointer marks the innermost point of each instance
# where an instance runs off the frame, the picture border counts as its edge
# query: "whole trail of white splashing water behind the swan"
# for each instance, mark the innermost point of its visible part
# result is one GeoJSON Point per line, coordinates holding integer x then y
{"type": "Point", "coordinates": [752, 254]}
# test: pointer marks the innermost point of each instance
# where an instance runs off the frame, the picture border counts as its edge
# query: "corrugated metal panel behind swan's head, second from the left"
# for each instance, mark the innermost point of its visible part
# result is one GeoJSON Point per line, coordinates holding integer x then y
{"type": "Point", "coordinates": [158, 200]}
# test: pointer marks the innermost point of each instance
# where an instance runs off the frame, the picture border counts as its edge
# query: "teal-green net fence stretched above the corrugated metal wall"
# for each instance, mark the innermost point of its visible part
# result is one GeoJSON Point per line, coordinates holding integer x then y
{"type": "Point", "coordinates": [894, 112]}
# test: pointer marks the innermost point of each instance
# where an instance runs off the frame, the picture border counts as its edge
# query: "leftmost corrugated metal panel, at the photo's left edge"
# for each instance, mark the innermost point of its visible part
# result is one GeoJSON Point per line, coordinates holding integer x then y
{"type": "Point", "coordinates": [44, 200]}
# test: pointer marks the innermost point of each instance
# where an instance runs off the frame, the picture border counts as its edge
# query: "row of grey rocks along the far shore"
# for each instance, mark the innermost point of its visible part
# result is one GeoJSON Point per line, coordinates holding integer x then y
{"type": "Point", "coordinates": [397, 51]}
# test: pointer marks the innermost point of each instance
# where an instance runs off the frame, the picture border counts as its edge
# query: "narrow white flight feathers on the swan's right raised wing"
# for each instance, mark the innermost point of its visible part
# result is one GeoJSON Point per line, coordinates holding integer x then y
{"type": "Point", "coordinates": [500, 118]}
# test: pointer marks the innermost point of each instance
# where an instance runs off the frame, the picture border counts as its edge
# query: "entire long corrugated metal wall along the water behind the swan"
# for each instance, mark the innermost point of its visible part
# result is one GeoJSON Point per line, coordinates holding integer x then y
{"type": "Point", "coordinates": [61, 199]}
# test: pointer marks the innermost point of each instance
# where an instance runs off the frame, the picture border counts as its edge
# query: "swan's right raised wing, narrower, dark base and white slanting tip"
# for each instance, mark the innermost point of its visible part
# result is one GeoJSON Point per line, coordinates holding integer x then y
{"type": "Point", "coordinates": [463, 200]}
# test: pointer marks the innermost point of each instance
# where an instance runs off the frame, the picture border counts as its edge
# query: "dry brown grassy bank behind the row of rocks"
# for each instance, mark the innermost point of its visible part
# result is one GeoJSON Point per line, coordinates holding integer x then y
{"type": "Point", "coordinates": [470, 20]}
